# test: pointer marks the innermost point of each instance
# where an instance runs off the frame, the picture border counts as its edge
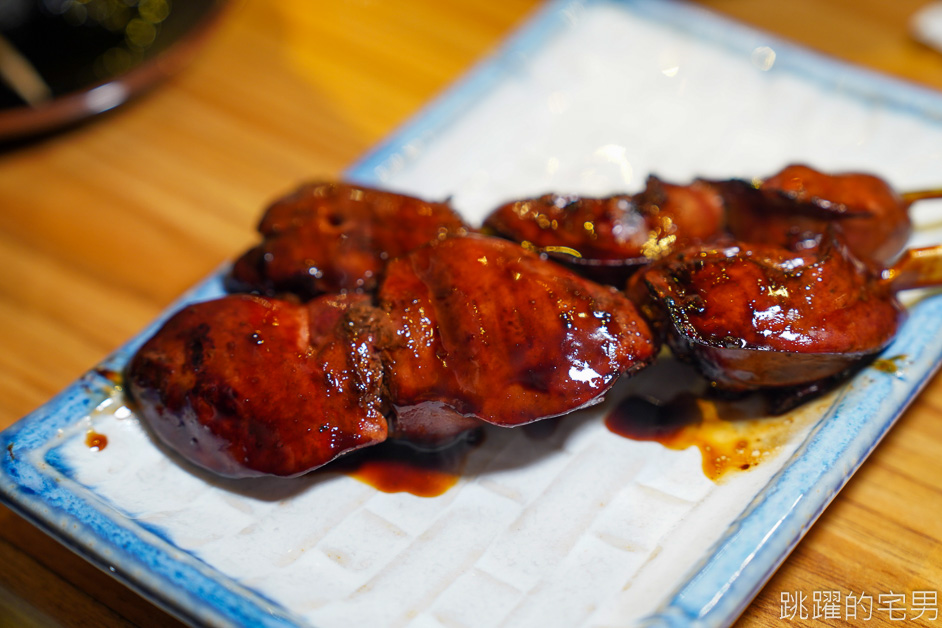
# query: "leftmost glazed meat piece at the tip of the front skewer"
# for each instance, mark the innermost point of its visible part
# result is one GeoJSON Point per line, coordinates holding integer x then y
{"type": "Point", "coordinates": [246, 385]}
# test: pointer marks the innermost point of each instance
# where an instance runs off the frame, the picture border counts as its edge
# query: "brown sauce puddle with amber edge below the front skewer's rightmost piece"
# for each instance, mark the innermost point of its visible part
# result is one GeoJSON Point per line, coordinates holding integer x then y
{"type": "Point", "coordinates": [731, 436]}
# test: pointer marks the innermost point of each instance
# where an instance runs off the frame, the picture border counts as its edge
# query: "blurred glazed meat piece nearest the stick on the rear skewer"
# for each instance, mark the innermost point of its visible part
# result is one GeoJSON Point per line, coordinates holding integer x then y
{"type": "Point", "coordinates": [801, 203]}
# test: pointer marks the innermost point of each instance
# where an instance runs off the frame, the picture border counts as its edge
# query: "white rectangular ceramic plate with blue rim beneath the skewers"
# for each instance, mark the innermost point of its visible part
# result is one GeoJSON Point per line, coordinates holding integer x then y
{"type": "Point", "coordinates": [580, 527]}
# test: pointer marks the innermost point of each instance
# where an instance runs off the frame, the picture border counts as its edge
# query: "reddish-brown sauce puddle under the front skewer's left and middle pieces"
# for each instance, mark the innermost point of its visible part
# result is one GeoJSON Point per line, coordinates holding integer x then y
{"type": "Point", "coordinates": [393, 467]}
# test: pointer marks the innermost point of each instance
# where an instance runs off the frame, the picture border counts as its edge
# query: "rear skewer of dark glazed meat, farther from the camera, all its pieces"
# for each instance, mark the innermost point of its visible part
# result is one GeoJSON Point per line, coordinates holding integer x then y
{"type": "Point", "coordinates": [336, 237]}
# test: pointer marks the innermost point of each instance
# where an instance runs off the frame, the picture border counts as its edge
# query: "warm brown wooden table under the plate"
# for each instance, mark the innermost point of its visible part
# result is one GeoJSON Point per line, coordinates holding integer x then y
{"type": "Point", "coordinates": [101, 227]}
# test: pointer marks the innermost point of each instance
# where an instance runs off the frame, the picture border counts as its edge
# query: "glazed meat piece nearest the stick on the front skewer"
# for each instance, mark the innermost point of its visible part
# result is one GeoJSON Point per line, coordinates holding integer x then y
{"type": "Point", "coordinates": [759, 316]}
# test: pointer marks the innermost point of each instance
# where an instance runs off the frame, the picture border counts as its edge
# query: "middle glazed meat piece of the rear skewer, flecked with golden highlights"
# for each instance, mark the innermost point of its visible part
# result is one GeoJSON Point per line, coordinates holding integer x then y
{"type": "Point", "coordinates": [607, 238]}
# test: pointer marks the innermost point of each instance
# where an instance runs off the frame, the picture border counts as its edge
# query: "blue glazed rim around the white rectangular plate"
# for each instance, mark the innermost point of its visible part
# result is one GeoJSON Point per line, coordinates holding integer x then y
{"type": "Point", "coordinates": [739, 564]}
